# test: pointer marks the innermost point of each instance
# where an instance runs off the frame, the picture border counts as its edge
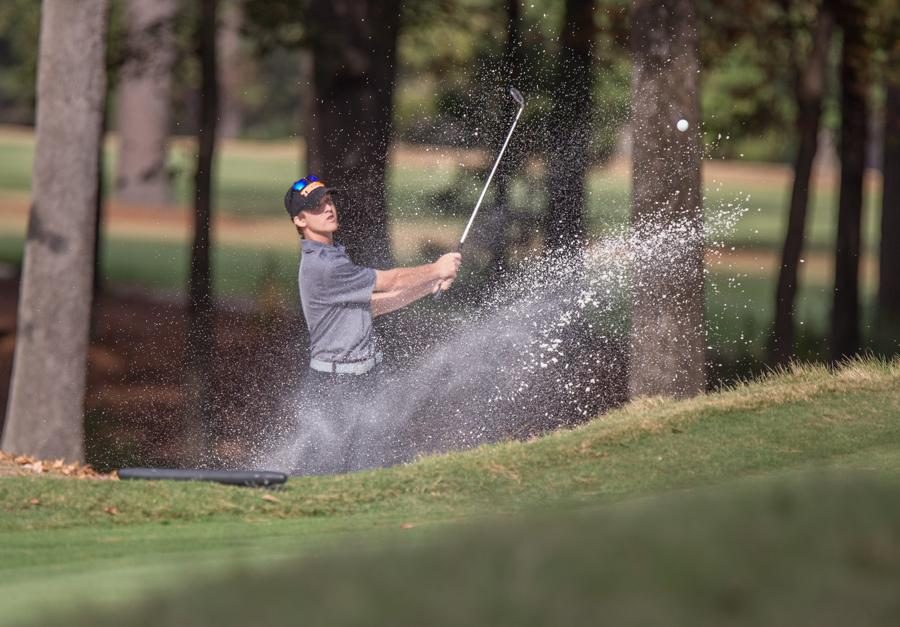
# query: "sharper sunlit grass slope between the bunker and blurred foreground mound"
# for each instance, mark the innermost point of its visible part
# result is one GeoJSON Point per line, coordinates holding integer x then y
{"type": "Point", "coordinates": [164, 534]}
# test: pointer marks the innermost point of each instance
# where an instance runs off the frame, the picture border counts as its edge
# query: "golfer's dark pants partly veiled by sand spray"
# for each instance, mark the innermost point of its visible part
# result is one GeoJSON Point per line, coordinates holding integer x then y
{"type": "Point", "coordinates": [341, 400]}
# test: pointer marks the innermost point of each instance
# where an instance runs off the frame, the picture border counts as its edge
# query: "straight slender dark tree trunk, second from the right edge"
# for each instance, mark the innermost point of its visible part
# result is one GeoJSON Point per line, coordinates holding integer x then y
{"type": "Point", "coordinates": [854, 133]}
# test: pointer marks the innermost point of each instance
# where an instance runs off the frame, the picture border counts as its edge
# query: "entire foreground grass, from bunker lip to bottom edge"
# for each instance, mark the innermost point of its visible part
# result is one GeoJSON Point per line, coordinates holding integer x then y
{"type": "Point", "coordinates": [771, 503]}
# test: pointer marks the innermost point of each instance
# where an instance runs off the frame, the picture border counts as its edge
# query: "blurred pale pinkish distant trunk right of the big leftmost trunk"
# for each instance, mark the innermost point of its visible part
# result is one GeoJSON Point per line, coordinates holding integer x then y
{"type": "Point", "coordinates": [144, 107]}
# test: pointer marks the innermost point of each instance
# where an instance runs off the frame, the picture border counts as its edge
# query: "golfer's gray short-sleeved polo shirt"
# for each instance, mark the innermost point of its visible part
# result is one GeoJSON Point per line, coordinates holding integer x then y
{"type": "Point", "coordinates": [336, 296]}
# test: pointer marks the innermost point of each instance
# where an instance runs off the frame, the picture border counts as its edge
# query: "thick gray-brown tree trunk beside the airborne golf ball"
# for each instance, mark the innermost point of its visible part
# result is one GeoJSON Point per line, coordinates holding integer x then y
{"type": "Point", "coordinates": [667, 347]}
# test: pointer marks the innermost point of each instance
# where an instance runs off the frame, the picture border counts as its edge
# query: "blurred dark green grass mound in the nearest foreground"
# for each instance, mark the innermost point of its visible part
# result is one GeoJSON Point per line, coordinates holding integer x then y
{"type": "Point", "coordinates": [823, 550]}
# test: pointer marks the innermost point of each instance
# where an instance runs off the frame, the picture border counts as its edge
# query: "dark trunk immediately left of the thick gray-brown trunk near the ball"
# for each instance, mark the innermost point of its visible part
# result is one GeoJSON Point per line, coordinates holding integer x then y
{"type": "Point", "coordinates": [570, 124]}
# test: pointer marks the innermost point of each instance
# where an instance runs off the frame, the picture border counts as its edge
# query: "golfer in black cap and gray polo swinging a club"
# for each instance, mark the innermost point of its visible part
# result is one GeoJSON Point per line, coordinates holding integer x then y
{"type": "Point", "coordinates": [339, 301]}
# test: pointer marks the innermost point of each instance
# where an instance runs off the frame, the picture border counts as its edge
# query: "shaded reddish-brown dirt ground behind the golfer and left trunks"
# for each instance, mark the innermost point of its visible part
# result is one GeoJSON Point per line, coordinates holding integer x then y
{"type": "Point", "coordinates": [136, 393]}
